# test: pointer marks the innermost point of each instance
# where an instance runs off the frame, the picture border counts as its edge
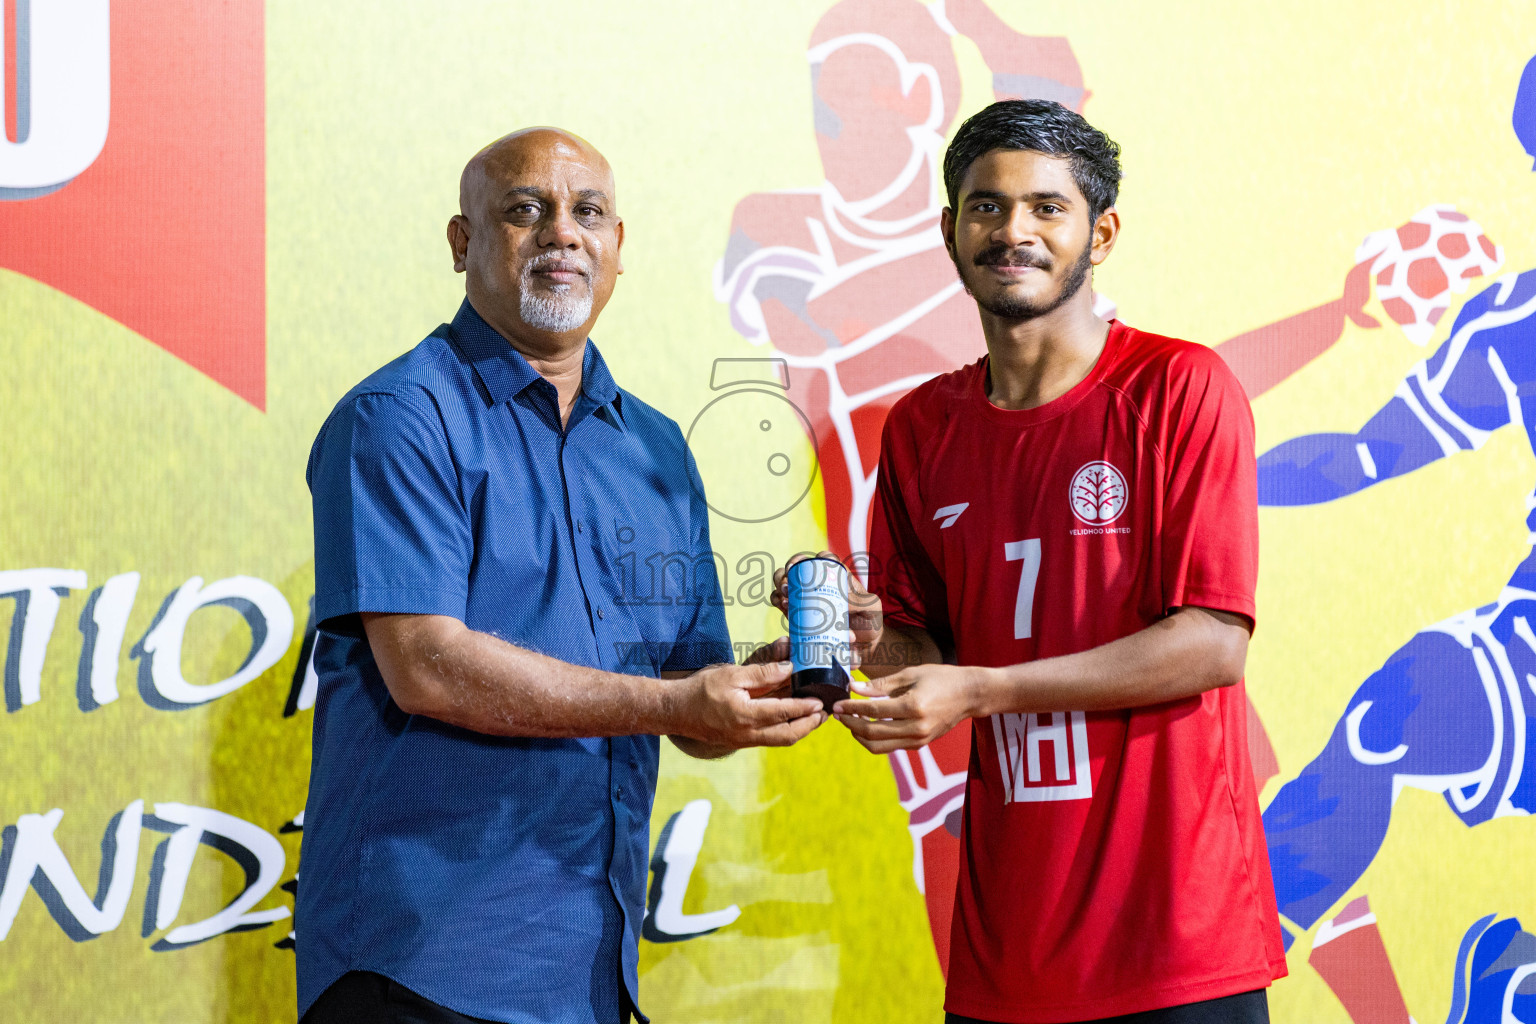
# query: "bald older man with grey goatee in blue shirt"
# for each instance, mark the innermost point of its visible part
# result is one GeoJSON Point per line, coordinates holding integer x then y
{"type": "Point", "coordinates": [491, 696]}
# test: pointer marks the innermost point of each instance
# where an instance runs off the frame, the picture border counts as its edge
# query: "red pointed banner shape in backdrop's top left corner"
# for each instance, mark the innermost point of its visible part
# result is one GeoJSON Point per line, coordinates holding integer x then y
{"type": "Point", "coordinates": [165, 231]}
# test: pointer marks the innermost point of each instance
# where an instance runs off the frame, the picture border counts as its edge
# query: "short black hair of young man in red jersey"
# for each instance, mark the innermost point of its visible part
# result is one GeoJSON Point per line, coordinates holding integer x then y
{"type": "Point", "coordinates": [1042, 127]}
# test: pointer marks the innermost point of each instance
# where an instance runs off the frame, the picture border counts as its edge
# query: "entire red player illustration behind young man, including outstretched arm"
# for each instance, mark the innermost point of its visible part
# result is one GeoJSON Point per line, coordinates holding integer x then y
{"type": "Point", "coordinates": [850, 285]}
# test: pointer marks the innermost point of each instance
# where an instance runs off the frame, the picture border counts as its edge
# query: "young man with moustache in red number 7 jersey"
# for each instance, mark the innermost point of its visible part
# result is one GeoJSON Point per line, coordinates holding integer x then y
{"type": "Point", "coordinates": [1067, 538]}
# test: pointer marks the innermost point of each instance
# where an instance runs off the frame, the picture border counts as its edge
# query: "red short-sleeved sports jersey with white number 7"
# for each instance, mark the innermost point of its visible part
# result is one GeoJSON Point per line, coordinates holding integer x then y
{"type": "Point", "coordinates": [1111, 862]}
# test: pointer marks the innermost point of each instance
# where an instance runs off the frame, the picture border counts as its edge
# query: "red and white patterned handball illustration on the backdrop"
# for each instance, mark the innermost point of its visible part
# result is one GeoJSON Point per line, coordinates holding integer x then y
{"type": "Point", "coordinates": [1418, 266]}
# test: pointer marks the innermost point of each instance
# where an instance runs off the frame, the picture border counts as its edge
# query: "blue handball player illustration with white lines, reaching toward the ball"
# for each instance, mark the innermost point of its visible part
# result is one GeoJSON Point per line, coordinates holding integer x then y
{"type": "Point", "coordinates": [1452, 712]}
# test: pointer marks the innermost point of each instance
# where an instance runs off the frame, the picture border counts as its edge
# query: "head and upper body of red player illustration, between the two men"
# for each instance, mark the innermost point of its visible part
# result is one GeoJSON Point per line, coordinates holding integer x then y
{"type": "Point", "coordinates": [849, 280]}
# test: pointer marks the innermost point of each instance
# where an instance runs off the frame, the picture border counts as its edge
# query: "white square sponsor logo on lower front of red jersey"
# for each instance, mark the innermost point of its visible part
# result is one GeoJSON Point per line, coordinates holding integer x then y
{"type": "Point", "coordinates": [1044, 756]}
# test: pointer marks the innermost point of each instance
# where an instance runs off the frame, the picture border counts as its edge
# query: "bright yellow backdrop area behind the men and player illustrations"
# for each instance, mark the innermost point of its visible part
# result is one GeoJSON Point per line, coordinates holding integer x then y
{"type": "Point", "coordinates": [1262, 145]}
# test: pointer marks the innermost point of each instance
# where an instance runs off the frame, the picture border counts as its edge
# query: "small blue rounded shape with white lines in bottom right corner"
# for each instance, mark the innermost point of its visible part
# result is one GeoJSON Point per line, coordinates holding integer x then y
{"type": "Point", "coordinates": [1495, 980]}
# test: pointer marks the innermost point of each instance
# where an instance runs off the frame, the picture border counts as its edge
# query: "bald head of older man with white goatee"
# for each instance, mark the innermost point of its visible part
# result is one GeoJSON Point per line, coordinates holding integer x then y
{"type": "Point", "coordinates": [538, 236]}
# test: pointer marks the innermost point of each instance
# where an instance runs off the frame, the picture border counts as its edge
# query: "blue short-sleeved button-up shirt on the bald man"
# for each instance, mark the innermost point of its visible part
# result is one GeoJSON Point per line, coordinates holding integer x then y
{"type": "Point", "coordinates": [500, 877]}
